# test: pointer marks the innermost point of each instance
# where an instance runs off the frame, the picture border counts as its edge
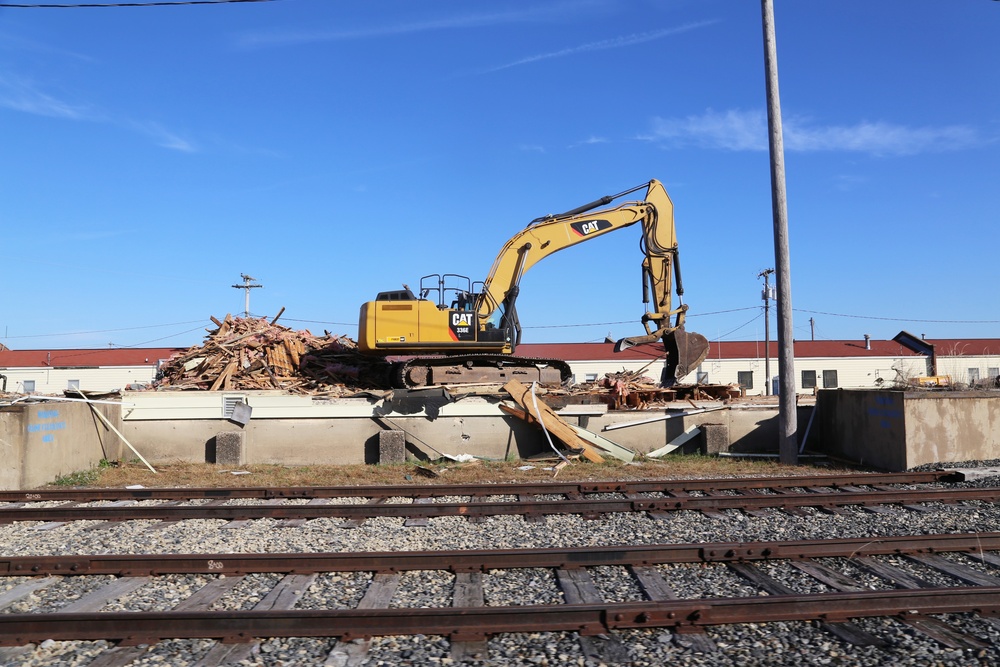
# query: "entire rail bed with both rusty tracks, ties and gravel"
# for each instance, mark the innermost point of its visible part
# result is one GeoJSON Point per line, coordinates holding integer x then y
{"type": "Point", "coordinates": [141, 580]}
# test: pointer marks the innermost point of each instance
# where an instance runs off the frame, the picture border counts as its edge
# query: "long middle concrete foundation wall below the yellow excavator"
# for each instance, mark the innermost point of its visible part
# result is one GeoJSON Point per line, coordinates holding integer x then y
{"type": "Point", "coordinates": [300, 430]}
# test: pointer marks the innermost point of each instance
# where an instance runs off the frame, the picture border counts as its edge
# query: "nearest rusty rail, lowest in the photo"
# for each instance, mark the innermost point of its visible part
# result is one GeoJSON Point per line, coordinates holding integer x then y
{"type": "Point", "coordinates": [466, 622]}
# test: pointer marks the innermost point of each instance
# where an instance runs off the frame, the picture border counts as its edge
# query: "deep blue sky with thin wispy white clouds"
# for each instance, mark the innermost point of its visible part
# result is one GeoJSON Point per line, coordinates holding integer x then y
{"type": "Point", "coordinates": [334, 149]}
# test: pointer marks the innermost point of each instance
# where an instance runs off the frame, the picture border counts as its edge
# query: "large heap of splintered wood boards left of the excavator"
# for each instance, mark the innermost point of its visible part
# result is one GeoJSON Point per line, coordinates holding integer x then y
{"type": "Point", "coordinates": [254, 353]}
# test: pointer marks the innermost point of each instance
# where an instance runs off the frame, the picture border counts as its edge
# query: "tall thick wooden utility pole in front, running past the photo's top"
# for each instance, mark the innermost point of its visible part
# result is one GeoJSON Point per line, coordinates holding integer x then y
{"type": "Point", "coordinates": [788, 449]}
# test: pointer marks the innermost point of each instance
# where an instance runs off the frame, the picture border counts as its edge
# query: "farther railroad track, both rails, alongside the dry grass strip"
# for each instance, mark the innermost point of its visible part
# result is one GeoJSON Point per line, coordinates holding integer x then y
{"type": "Point", "coordinates": [476, 502]}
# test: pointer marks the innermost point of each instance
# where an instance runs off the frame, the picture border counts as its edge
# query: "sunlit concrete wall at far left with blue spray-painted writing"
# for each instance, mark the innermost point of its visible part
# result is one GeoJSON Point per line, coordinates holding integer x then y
{"type": "Point", "coordinates": [44, 441]}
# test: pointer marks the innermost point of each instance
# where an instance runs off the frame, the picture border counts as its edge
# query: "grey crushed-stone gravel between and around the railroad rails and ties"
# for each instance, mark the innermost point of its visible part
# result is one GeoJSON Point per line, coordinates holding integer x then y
{"type": "Point", "coordinates": [752, 644]}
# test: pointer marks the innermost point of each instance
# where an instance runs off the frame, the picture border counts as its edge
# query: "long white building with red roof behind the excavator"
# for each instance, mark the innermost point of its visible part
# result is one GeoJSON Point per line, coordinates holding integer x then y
{"type": "Point", "coordinates": [818, 364]}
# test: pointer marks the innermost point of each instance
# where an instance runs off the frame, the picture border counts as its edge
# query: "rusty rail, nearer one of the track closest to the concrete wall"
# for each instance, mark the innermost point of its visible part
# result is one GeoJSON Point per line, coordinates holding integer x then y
{"type": "Point", "coordinates": [497, 508]}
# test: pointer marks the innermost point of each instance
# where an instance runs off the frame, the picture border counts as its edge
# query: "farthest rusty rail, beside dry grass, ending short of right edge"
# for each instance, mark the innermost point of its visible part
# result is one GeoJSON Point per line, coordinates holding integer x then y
{"type": "Point", "coordinates": [432, 490]}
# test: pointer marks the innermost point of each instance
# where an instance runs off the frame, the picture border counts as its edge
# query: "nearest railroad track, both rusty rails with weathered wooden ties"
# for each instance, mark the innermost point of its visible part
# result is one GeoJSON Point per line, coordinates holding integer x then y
{"type": "Point", "coordinates": [835, 585]}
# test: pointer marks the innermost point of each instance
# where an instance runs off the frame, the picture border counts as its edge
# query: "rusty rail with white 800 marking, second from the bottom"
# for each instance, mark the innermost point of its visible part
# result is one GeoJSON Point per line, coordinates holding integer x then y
{"type": "Point", "coordinates": [486, 560]}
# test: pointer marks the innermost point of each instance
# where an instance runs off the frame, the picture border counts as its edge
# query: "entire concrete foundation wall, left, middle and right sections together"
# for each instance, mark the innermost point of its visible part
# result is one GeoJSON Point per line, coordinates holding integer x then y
{"type": "Point", "coordinates": [891, 430]}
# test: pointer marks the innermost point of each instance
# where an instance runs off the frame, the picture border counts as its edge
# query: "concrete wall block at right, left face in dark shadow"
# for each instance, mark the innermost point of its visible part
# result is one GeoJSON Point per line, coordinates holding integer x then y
{"type": "Point", "coordinates": [895, 430]}
